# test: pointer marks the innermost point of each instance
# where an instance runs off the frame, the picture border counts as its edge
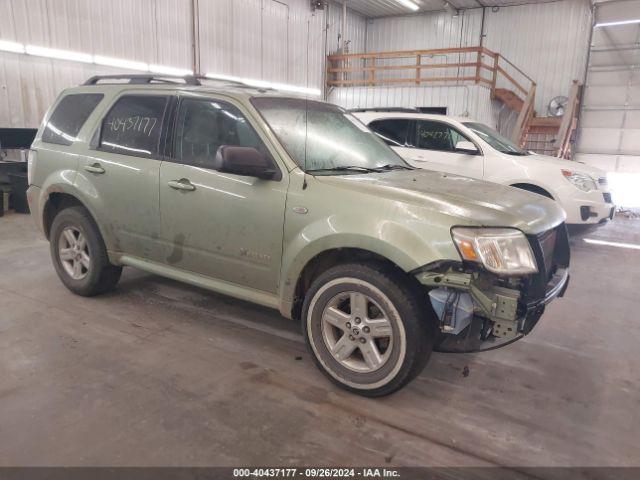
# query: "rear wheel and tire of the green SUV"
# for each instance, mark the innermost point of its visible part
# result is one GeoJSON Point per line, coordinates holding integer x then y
{"type": "Point", "coordinates": [82, 266]}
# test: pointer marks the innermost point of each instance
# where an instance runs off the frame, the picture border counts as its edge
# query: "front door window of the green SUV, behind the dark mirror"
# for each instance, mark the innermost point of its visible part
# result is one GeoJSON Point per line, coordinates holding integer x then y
{"type": "Point", "coordinates": [204, 126]}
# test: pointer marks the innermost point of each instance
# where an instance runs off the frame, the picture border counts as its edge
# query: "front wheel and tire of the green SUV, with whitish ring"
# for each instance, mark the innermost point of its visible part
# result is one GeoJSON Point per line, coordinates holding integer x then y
{"type": "Point", "coordinates": [399, 318]}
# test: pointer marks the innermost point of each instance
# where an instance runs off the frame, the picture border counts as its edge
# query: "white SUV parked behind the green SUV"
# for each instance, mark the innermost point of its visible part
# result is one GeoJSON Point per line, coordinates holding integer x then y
{"type": "Point", "coordinates": [465, 147]}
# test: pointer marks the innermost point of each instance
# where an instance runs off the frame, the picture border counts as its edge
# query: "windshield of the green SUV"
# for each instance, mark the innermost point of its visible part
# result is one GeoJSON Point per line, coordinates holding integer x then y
{"type": "Point", "coordinates": [330, 141]}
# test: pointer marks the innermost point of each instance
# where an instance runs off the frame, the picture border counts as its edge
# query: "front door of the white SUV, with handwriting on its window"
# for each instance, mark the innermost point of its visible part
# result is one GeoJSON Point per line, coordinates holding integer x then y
{"type": "Point", "coordinates": [433, 147]}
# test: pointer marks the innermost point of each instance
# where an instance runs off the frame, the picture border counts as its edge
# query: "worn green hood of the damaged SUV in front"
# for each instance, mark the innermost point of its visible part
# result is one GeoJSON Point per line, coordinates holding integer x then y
{"type": "Point", "coordinates": [467, 201]}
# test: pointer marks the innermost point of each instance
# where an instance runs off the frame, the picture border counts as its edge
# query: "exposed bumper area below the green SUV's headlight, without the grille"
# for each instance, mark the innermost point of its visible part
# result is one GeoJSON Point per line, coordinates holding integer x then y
{"type": "Point", "coordinates": [499, 315]}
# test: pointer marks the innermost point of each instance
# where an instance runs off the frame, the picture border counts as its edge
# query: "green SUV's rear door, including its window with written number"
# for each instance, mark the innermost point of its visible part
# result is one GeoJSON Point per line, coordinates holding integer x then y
{"type": "Point", "coordinates": [121, 172]}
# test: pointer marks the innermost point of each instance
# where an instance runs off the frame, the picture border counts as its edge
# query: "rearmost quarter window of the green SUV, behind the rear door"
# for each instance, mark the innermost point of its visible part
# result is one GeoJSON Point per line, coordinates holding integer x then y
{"type": "Point", "coordinates": [69, 116]}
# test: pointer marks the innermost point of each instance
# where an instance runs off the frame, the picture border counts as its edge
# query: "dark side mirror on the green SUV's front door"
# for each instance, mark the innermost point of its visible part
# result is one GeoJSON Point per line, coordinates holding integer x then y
{"type": "Point", "coordinates": [245, 161]}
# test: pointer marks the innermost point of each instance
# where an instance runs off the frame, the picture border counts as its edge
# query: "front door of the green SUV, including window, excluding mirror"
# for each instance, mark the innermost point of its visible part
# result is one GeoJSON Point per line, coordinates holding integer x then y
{"type": "Point", "coordinates": [221, 225]}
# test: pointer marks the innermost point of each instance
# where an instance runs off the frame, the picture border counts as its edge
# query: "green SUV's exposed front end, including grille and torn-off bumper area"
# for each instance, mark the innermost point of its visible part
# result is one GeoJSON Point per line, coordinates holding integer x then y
{"type": "Point", "coordinates": [481, 311]}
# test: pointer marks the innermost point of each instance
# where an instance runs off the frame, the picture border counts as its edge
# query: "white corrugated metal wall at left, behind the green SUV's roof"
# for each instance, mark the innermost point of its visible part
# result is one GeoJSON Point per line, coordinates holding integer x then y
{"type": "Point", "coordinates": [265, 39]}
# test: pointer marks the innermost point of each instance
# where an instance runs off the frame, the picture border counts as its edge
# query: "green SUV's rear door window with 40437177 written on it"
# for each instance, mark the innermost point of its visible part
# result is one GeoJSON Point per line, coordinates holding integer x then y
{"type": "Point", "coordinates": [133, 126]}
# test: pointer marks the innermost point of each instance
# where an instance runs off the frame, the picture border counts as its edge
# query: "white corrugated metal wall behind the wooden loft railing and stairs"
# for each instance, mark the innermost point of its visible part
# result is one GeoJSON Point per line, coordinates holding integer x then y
{"type": "Point", "coordinates": [547, 41]}
